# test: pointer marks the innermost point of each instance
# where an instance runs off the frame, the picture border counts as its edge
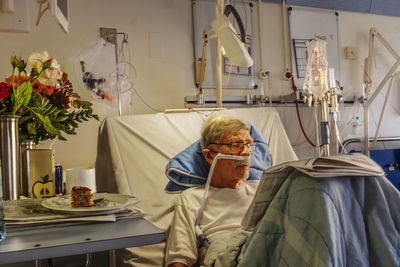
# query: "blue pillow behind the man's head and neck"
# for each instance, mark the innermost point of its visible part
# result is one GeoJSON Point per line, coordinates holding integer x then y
{"type": "Point", "coordinates": [189, 168]}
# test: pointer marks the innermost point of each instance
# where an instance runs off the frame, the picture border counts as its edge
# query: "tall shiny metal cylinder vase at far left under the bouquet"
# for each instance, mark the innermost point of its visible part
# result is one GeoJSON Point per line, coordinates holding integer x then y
{"type": "Point", "coordinates": [9, 153]}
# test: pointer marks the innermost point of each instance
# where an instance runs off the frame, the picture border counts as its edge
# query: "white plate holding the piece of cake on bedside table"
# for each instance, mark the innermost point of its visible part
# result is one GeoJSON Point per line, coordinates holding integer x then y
{"type": "Point", "coordinates": [112, 203]}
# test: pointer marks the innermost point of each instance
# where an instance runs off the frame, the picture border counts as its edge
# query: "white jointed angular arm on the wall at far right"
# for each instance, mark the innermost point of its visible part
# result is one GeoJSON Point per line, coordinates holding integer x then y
{"type": "Point", "coordinates": [390, 75]}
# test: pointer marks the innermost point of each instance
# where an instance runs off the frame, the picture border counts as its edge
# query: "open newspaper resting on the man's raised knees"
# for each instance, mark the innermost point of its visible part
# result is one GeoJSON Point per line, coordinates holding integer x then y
{"type": "Point", "coordinates": [323, 167]}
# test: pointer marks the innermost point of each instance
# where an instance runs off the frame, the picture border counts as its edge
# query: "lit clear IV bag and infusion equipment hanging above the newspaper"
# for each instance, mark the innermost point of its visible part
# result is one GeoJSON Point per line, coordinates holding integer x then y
{"type": "Point", "coordinates": [319, 92]}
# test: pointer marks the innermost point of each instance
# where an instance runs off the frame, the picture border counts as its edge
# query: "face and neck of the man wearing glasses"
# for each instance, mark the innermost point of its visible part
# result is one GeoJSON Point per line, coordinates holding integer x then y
{"type": "Point", "coordinates": [228, 173]}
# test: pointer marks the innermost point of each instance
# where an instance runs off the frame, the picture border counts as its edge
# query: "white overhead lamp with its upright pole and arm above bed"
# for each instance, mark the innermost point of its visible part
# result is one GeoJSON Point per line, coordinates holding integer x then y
{"type": "Point", "coordinates": [229, 45]}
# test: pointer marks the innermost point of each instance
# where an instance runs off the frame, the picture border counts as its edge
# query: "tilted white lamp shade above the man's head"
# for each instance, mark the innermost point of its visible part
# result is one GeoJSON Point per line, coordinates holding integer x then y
{"type": "Point", "coordinates": [235, 50]}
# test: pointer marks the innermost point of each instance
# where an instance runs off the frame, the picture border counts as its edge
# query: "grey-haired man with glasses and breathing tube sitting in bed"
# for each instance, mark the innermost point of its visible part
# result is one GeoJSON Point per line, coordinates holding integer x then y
{"type": "Point", "coordinates": [227, 200]}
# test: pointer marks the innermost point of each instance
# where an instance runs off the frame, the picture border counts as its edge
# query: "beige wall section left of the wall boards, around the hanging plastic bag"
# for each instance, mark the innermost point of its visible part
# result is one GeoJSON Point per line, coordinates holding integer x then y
{"type": "Point", "coordinates": [164, 76]}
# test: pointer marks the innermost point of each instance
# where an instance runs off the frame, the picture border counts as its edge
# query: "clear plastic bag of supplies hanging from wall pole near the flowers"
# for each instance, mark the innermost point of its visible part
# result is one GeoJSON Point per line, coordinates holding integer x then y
{"type": "Point", "coordinates": [102, 69]}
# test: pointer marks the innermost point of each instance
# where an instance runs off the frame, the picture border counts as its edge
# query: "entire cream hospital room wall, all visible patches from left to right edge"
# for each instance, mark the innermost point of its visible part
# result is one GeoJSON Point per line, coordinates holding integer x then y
{"type": "Point", "coordinates": [165, 69]}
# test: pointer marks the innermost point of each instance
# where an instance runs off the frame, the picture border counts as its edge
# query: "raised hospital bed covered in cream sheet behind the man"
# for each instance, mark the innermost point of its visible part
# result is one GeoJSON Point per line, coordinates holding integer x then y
{"type": "Point", "coordinates": [134, 150]}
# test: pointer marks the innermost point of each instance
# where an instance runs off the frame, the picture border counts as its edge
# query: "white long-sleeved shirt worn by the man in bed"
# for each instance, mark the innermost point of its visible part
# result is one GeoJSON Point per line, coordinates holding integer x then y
{"type": "Point", "coordinates": [223, 212]}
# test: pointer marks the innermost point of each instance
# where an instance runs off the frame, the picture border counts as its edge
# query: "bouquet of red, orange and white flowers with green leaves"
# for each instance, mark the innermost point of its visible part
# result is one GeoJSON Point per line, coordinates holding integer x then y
{"type": "Point", "coordinates": [44, 99]}
